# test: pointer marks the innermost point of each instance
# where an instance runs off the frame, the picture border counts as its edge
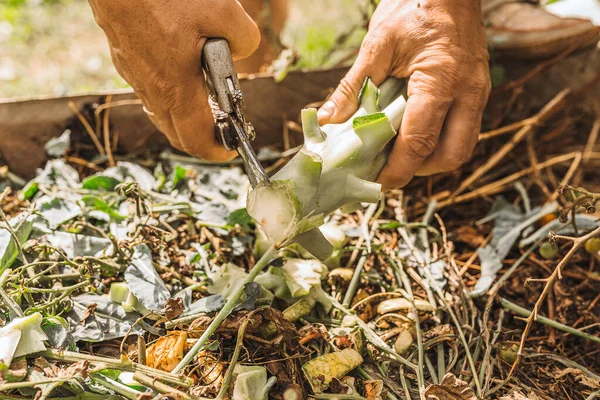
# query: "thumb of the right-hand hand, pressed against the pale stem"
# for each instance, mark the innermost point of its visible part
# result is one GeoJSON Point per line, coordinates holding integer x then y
{"type": "Point", "coordinates": [343, 103]}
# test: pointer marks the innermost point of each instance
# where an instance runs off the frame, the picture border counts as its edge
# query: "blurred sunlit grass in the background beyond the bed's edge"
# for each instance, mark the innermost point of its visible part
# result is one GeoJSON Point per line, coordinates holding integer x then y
{"type": "Point", "coordinates": [54, 47]}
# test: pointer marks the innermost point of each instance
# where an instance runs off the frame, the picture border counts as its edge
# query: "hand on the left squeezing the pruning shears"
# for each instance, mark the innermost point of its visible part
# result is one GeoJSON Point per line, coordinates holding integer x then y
{"type": "Point", "coordinates": [156, 45]}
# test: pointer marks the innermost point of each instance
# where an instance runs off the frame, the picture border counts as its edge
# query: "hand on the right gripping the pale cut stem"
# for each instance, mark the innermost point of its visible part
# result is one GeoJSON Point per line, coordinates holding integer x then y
{"type": "Point", "coordinates": [440, 46]}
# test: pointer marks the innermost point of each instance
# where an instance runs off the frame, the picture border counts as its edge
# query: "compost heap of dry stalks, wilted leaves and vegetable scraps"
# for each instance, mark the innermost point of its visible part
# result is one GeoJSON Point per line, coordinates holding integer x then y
{"type": "Point", "coordinates": [114, 275]}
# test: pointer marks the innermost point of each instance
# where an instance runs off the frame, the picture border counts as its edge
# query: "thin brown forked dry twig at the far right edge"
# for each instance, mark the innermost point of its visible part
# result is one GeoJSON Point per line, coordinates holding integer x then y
{"type": "Point", "coordinates": [578, 242]}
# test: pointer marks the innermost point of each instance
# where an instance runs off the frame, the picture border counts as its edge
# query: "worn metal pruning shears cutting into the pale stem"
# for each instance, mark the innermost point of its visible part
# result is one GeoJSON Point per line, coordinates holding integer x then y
{"type": "Point", "coordinates": [226, 99]}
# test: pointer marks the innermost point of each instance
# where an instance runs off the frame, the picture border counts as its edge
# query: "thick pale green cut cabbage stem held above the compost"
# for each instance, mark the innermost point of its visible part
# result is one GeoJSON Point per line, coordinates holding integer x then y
{"type": "Point", "coordinates": [336, 168]}
